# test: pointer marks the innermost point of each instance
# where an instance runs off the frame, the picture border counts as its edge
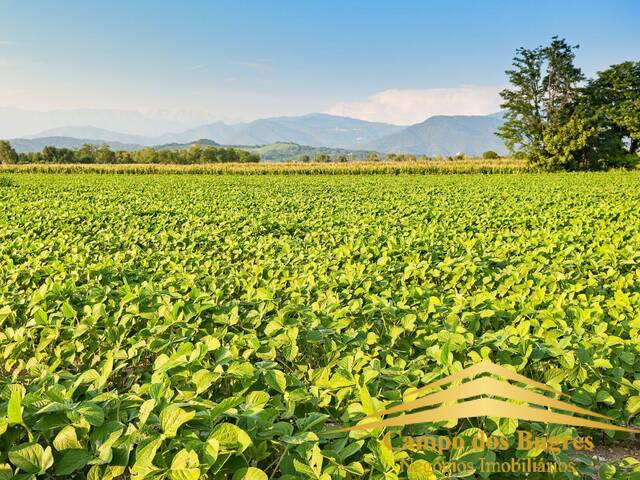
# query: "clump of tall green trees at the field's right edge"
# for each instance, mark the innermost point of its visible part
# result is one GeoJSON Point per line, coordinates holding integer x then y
{"type": "Point", "coordinates": [558, 119]}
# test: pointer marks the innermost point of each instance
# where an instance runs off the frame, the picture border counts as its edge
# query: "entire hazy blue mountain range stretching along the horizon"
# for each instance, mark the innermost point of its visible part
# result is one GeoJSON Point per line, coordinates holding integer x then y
{"type": "Point", "coordinates": [437, 135]}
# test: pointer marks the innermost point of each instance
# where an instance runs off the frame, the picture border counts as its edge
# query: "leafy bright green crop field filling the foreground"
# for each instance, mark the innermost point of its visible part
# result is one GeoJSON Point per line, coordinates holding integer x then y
{"type": "Point", "coordinates": [179, 327]}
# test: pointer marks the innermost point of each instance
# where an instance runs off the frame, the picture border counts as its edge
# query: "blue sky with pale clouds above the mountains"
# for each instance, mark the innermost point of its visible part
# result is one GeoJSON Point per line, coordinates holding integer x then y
{"type": "Point", "coordinates": [196, 61]}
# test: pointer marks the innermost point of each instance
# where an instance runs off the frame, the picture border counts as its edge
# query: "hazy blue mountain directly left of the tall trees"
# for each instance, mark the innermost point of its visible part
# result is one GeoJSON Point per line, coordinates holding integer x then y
{"type": "Point", "coordinates": [445, 135]}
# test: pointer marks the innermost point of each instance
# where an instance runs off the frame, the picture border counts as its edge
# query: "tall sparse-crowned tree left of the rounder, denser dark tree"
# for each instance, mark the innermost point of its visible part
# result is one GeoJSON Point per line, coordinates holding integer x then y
{"type": "Point", "coordinates": [542, 100]}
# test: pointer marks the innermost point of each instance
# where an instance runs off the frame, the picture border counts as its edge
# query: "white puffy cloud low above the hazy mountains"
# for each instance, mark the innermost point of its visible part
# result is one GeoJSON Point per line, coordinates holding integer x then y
{"type": "Point", "coordinates": [405, 107]}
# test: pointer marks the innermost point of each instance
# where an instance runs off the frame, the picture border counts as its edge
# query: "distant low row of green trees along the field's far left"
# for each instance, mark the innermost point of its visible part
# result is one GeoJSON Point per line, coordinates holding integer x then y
{"type": "Point", "coordinates": [104, 155]}
